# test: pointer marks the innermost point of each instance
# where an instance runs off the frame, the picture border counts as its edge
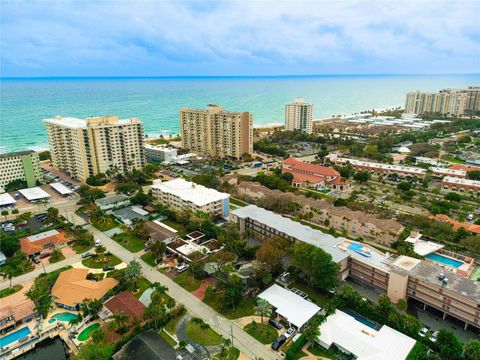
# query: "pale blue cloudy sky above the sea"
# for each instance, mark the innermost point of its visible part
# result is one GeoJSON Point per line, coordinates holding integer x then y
{"type": "Point", "coordinates": [238, 38]}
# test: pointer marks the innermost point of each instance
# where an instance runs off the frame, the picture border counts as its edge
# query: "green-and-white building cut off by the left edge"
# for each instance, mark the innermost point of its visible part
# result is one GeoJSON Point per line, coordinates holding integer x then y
{"type": "Point", "coordinates": [23, 165]}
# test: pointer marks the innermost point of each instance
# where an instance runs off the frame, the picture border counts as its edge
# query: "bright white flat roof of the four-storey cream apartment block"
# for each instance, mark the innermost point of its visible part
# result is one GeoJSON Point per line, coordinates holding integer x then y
{"type": "Point", "coordinates": [191, 192]}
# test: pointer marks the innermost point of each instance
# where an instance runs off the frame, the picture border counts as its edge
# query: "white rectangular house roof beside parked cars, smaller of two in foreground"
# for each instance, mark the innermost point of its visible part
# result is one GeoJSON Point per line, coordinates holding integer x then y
{"type": "Point", "coordinates": [291, 306]}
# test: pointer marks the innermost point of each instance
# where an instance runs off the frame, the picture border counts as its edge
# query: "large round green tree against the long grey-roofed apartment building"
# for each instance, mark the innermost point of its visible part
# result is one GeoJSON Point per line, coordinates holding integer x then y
{"type": "Point", "coordinates": [316, 264]}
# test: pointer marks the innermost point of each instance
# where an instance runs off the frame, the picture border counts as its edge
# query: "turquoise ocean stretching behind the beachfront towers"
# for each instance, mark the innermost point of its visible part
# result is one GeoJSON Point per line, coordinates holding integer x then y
{"type": "Point", "coordinates": [157, 101]}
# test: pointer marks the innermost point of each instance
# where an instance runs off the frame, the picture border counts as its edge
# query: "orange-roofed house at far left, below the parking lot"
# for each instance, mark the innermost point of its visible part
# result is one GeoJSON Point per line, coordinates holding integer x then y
{"type": "Point", "coordinates": [43, 242]}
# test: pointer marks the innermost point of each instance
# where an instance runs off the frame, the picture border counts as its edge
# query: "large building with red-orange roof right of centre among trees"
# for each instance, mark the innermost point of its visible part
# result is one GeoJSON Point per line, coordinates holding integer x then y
{"type": "Point", "coordinates": [313, 176]}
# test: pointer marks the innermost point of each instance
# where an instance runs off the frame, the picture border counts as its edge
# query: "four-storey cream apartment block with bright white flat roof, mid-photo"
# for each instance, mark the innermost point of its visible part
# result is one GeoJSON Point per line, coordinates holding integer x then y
{"type": "Point", "coordinates": [179, 195]}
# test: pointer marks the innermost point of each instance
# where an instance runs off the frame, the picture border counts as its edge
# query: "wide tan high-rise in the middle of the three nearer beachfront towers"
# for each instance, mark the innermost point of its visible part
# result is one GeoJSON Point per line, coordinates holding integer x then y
{"type": "Point", "coordinates": [216, 132]}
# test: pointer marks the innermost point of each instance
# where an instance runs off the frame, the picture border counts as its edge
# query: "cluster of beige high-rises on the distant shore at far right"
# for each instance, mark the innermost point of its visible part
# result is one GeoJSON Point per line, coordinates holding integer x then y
{"type": "Point", "coordinates": [455, 102]}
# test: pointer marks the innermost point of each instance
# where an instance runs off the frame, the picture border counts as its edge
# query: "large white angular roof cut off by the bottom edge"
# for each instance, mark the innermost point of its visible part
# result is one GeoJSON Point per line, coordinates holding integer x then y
{"type": "Point", "coordinates": [362, 341]}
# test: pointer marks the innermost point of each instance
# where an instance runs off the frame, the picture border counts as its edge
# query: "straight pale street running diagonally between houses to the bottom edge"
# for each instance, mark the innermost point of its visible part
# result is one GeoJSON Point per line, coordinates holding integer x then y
{"type": "Point", "coordinates": [243, 341]}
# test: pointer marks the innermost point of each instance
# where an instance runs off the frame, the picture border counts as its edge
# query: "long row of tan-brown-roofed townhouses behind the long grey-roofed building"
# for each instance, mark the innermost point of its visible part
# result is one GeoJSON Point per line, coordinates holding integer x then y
{"type": "Point", "coordinates": [355, 224]}
